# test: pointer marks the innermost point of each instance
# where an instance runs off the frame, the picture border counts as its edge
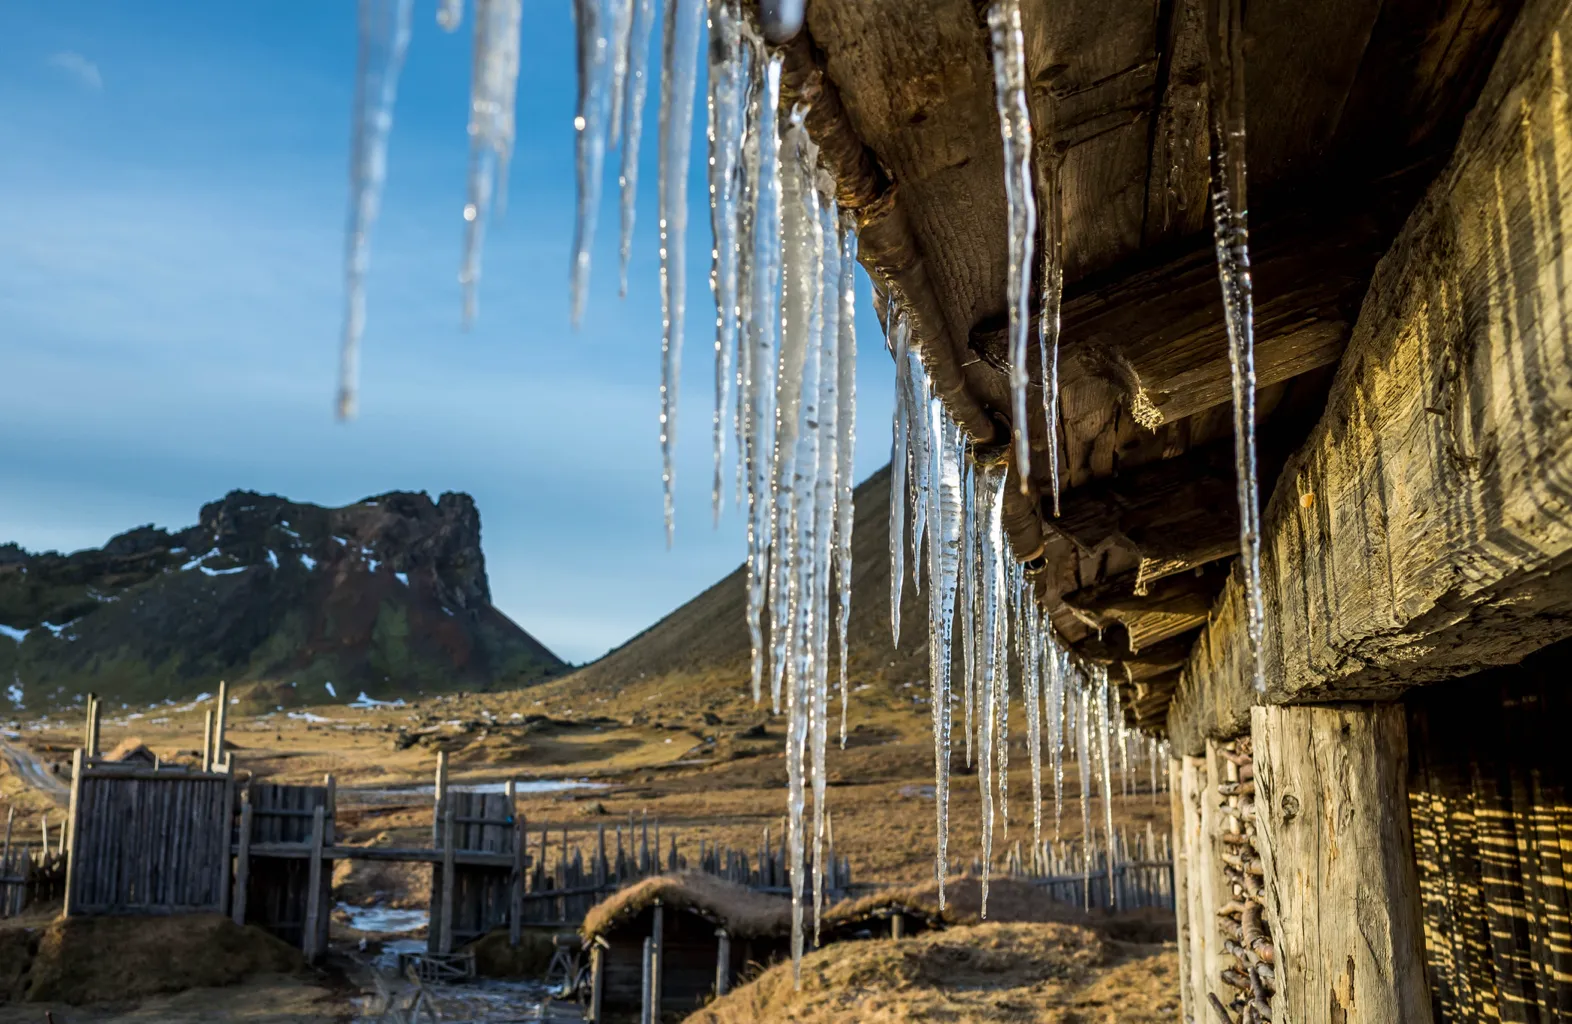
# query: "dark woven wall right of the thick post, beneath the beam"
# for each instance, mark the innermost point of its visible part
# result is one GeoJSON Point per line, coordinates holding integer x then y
{"type": "Point", "coordinates": [1491, 765]}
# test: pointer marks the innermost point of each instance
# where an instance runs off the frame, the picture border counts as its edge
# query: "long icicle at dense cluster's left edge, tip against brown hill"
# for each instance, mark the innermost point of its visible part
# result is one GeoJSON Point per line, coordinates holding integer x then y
{"type": "Point", "coordinates": [763, 333]}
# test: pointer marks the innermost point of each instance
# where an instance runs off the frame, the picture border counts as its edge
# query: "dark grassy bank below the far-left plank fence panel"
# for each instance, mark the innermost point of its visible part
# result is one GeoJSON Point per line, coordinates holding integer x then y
{"type": "Point", "coordinates": [86, 960]}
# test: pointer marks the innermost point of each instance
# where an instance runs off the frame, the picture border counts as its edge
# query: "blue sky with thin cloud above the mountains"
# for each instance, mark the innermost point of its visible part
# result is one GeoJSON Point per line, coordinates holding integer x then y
{"type": "Point", "coordinates": [174, 190]}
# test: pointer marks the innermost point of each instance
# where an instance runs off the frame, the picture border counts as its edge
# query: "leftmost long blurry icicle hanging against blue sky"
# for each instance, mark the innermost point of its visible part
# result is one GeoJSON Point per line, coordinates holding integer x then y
{"type": "Point", "coordinates": [384, 39]}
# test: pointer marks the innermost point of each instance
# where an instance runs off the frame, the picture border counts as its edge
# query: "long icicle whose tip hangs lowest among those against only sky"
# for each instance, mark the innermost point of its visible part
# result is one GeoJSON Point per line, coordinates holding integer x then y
{"type": "Point", "coordinates": [678, 81]}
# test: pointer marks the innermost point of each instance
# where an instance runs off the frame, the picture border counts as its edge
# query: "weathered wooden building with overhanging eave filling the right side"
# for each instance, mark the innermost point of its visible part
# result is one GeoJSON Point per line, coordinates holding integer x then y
{"type": "Point", "coordinates": [1379, 834]}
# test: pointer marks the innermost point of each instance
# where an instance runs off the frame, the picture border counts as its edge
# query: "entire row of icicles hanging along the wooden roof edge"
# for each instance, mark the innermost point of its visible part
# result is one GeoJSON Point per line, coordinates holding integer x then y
{"type": "Point", "coordinates": [782, 274]}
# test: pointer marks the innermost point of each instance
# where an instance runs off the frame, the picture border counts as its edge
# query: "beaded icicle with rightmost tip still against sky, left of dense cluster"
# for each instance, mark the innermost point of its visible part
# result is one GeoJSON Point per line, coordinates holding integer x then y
{"type": "Point", "coordinates": [729, 73]}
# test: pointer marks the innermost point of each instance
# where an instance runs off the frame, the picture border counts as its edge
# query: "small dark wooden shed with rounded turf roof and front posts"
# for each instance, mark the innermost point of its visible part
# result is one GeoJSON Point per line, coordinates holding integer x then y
{"type": "Point", "coordinates": [675, 941]}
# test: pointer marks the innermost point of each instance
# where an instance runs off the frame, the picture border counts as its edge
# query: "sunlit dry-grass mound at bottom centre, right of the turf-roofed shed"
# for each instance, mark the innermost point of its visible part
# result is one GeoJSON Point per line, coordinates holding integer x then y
{"type": "Point", "coordinates": [1019, 973]}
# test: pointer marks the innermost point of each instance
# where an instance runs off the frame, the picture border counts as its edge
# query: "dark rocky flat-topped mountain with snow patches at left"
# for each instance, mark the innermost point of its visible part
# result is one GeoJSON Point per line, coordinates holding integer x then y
{"type": "Point", "coordinates": [387, 595]}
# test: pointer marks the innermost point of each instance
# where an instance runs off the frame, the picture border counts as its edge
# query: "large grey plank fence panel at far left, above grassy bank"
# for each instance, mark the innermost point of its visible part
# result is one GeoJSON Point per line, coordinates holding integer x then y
{"type": "Point", "coordinates": [149, 841]}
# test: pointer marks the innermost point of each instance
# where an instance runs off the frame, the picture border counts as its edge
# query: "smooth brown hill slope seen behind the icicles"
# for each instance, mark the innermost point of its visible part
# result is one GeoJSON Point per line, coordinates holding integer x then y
{"type": "Point", "coordinates": [697, 658]}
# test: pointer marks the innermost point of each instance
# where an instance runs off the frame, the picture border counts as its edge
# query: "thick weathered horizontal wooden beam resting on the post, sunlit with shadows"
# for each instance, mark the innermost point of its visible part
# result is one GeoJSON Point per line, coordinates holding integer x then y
{"type": "Point", "coordinates": [1425, 529]}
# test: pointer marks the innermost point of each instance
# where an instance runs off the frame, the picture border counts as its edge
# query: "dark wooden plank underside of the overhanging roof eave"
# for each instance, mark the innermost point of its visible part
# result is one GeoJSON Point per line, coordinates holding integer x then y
{"type": "Point", "coordinates": [1354, 106]}
